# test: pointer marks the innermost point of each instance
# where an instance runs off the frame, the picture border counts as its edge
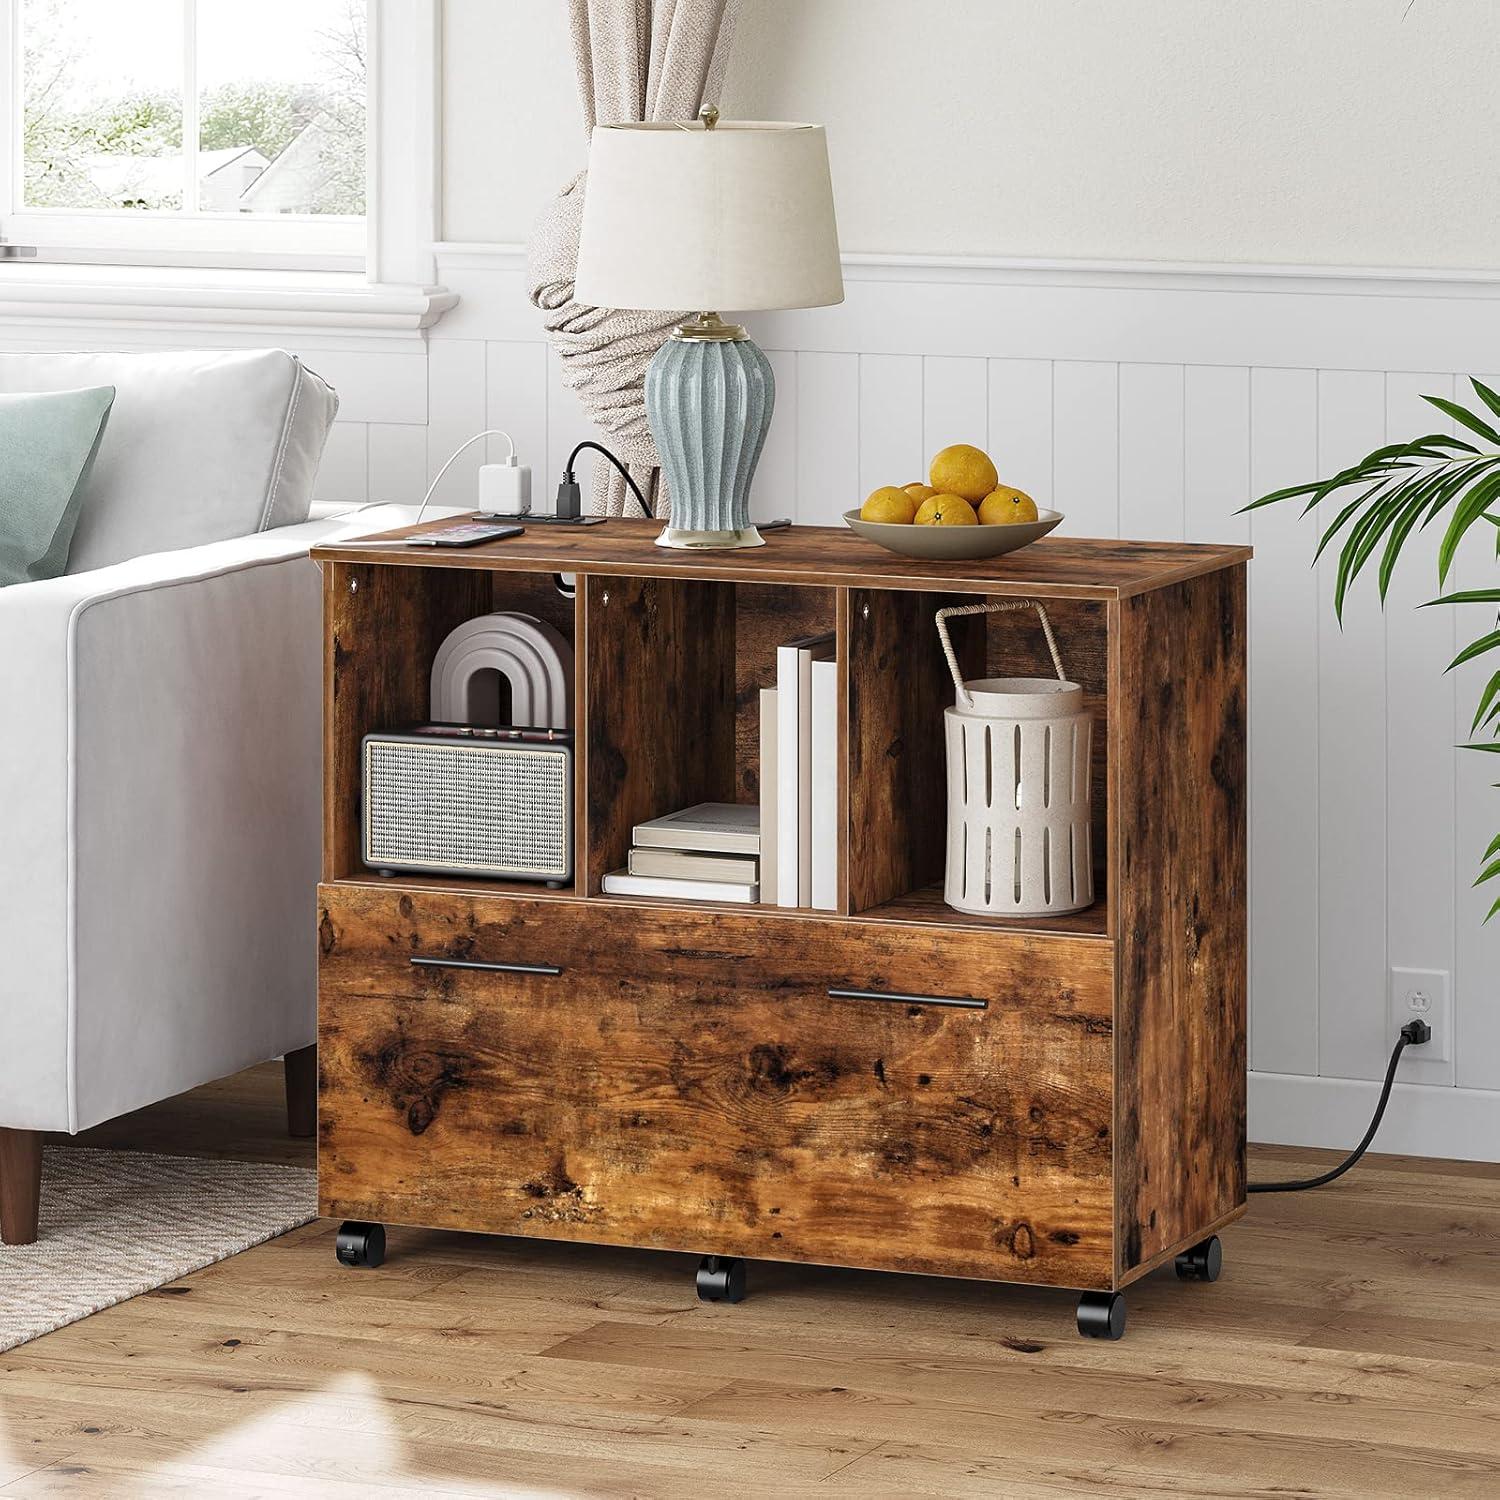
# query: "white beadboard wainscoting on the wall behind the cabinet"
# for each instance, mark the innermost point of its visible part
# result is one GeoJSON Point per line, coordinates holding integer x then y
{"type": "Point", "coordinates": [1145, 403]}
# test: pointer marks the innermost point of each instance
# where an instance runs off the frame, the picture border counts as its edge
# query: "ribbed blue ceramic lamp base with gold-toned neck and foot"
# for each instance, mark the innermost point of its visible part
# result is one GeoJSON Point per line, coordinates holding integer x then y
{"type": "Point", "coordinates": [710, 395]}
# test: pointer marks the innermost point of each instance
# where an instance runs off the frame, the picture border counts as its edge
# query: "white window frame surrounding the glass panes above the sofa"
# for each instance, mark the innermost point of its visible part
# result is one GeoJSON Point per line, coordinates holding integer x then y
{"type": "Point", "coordinates": [394, 242]}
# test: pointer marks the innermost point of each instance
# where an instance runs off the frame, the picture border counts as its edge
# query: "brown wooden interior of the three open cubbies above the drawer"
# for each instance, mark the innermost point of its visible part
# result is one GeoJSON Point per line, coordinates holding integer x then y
{"type": "Point", "coordinates": [668, 680]}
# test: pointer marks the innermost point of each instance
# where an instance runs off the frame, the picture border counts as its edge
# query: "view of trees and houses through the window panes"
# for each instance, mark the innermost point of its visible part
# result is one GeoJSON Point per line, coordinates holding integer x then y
{"type": "Point", "coordinates": [281, 100]}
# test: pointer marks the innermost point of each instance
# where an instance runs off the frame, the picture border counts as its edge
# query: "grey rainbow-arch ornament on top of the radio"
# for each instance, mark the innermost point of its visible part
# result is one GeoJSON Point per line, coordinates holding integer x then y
{"type": "Point", "coordinates": [529, 653]}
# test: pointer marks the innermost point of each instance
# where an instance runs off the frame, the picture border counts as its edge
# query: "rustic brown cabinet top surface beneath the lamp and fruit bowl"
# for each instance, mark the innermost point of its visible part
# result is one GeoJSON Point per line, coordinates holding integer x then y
{"type": "Point", "coordinates": [1078, 568]}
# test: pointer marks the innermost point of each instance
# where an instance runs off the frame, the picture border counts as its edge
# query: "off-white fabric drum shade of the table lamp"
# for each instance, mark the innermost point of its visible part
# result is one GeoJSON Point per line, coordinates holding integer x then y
{"type": "Point", "coordinates": [736, 218]}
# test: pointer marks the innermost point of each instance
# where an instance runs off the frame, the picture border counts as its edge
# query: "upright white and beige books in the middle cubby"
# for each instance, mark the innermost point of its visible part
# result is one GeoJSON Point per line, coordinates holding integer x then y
{"type": "Point", "coordinates": [800, 778]}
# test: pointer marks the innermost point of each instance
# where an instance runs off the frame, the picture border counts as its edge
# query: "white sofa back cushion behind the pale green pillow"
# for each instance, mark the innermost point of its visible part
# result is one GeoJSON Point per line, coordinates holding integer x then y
{"type": "Point", "coordinates": [202, 446]}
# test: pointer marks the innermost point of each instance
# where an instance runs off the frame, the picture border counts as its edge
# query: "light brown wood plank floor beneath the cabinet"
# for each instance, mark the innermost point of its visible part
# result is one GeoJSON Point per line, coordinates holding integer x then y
{"type": "Point", "coordinates": [1351, 1349]}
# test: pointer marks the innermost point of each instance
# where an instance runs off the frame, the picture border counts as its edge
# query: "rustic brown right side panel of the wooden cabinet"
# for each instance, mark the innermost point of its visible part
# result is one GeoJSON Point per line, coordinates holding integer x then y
{"type": "Point", "coordinates": [1180, 739]}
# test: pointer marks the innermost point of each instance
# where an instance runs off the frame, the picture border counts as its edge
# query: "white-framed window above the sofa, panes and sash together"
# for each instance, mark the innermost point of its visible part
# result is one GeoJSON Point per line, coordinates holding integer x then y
{"type": "Point", "coordinates": [188, 131]}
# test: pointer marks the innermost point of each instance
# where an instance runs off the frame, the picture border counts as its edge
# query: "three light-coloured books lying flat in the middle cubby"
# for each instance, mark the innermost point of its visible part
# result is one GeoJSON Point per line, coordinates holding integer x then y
{"type": "Point", "coordinates": [710, 853]}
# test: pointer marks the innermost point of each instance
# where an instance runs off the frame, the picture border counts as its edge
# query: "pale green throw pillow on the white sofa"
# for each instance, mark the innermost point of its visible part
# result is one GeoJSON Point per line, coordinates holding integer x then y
{"type": "Point", "coordinates": [47, 446]}
